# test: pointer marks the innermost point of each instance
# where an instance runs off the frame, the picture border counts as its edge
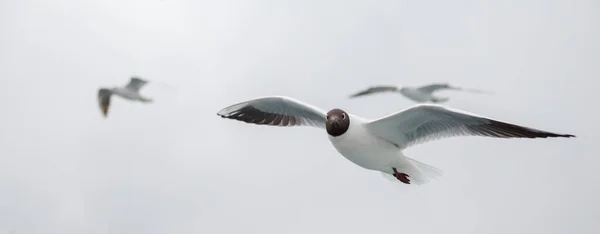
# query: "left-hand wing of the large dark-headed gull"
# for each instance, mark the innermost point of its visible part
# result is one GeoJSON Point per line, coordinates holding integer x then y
{"type": "Point", "coordinates": [276, 111]}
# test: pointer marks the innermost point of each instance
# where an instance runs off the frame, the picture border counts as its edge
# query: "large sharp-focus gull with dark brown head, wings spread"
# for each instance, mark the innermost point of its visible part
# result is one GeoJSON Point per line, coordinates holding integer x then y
{"type": "Point", "coordinates": [378, 144]}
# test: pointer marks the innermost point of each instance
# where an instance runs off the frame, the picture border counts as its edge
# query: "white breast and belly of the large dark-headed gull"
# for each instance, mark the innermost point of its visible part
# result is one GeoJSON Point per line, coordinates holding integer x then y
{"type": "Point", "coordinates": [364, 149]}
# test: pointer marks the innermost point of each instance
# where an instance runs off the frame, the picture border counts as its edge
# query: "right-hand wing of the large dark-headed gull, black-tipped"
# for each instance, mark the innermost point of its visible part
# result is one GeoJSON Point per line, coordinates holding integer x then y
{"type": "Point", "coordinates": [427, 122]}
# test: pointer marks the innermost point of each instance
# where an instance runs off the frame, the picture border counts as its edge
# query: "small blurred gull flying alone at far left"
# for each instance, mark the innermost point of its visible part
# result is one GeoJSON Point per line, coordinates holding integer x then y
{"type": "Point", "coordinates": [131, 92]}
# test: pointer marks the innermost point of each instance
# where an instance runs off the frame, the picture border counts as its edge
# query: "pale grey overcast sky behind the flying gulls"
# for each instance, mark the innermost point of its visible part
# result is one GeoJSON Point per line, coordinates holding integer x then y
{"type": "Point", "coordinates": [175, 167]}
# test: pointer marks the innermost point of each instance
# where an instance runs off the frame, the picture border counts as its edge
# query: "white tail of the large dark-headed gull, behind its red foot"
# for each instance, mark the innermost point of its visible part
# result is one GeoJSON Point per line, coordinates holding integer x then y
{"type": "Point", "coordinates": [418, 173]}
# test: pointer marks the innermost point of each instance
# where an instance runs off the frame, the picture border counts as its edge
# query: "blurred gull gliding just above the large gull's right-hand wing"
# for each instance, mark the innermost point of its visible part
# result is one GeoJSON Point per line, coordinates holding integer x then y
{"type": "Point", "coordinates": [418, 94]}
